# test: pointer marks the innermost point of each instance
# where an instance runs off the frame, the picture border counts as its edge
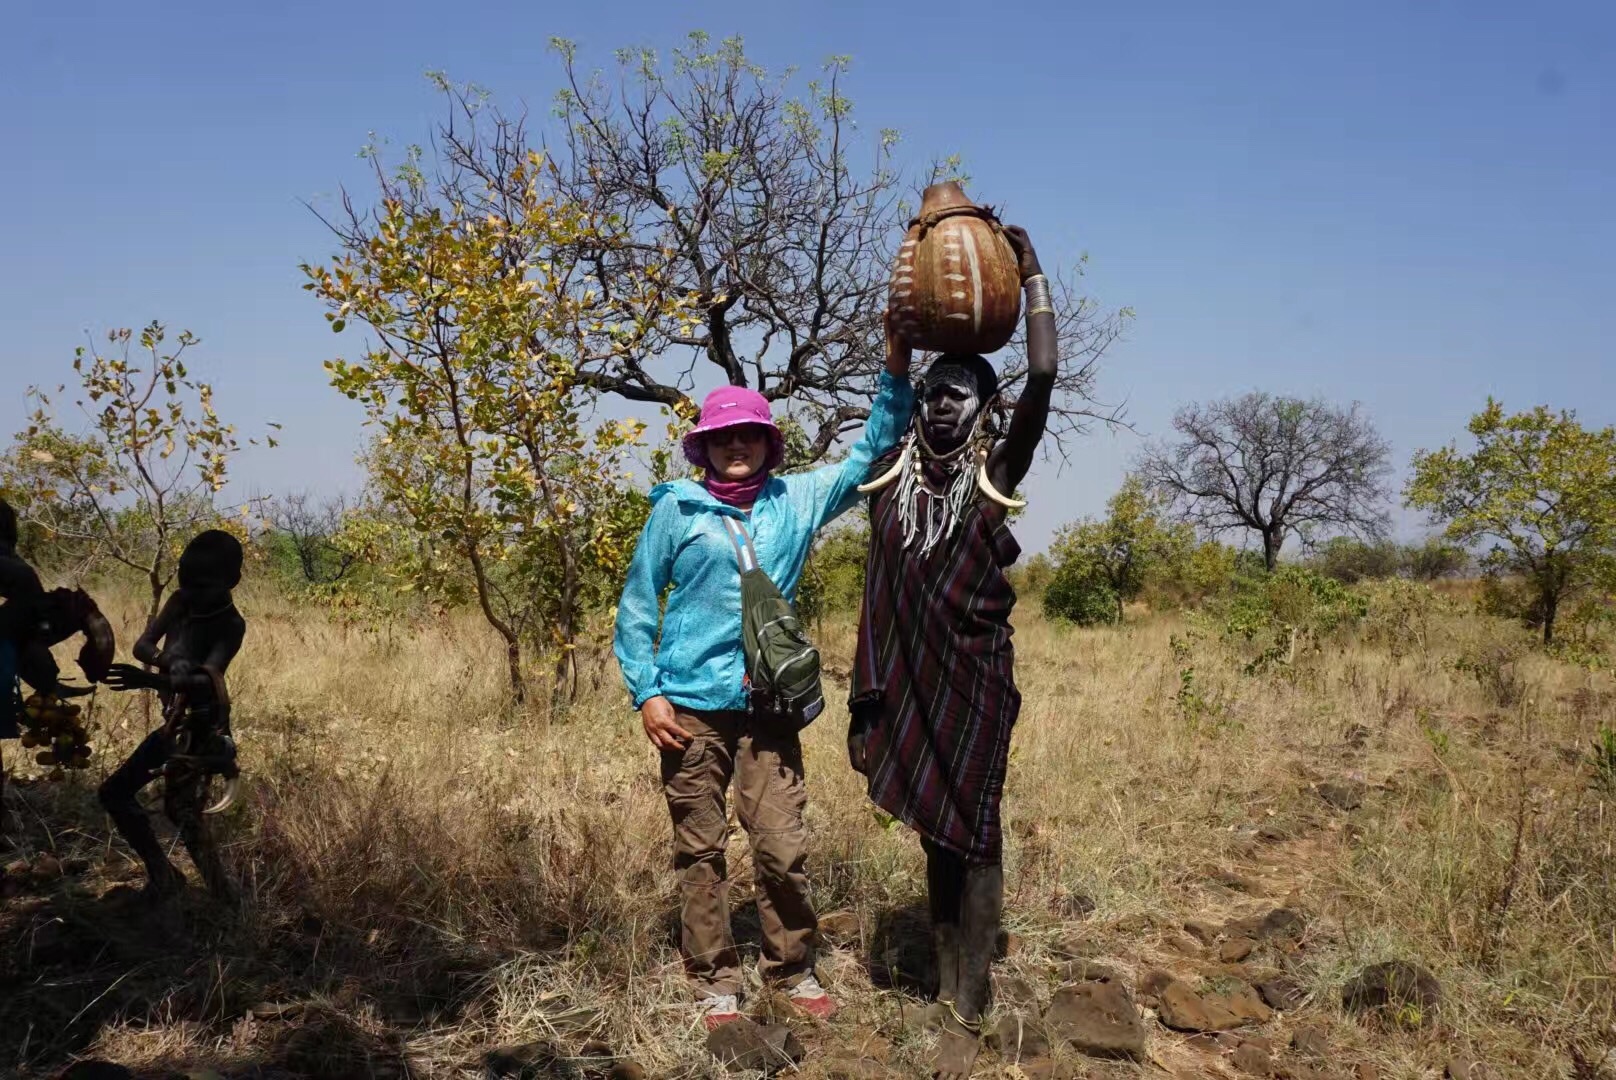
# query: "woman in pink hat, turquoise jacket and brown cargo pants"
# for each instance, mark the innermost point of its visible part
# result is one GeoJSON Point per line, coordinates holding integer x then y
{"type": "Point", "coordinates": [691, 690]}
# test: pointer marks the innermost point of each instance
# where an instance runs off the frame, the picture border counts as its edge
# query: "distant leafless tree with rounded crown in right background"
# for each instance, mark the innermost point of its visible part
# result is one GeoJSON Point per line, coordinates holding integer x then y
{"type": "Point", "coordinates": [1273, 466]}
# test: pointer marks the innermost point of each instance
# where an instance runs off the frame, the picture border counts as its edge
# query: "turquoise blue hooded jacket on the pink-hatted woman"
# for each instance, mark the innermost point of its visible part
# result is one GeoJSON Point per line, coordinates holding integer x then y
{"type": "Point", "coordinates": [699, 664]}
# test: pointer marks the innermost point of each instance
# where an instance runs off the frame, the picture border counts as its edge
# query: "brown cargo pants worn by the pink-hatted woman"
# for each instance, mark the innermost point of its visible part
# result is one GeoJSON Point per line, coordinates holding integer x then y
{"type": "Point", "coordinates": [770, 799]}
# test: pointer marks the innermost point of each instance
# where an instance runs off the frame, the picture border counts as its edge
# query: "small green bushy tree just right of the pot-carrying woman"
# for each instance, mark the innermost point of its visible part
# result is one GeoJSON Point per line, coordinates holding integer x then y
{"type": "Point", "coordinates": [1103, 565]}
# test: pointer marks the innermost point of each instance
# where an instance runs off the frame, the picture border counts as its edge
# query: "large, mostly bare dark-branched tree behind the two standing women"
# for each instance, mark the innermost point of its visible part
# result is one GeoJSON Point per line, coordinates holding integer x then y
{"type": "Point", "coordinates": [759, 203]}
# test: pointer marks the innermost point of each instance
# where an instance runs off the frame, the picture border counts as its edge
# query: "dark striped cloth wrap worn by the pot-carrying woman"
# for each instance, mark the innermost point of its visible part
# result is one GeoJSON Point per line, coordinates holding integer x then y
{"type": "Point", "coordinates": [933, 680]}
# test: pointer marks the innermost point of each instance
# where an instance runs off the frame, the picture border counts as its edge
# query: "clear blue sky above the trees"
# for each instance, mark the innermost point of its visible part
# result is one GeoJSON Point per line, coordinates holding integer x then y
{"type": "Point", "coordinates": [1407, 205]}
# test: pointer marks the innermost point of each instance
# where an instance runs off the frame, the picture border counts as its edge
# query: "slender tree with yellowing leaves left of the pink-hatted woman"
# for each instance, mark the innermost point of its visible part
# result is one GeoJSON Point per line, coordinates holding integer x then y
{"type": "Point", "coordinates": [482, 319]}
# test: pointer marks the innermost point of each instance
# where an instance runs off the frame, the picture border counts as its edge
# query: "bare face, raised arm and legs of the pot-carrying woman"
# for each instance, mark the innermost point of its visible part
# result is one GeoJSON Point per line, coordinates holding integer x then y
{"type": "Point", "coordinates": [967, 900]}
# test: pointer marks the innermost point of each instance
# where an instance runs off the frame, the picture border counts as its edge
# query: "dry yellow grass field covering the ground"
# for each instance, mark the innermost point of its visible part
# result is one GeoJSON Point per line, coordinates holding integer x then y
{"type": "Point", "coordinates": [432, 877]}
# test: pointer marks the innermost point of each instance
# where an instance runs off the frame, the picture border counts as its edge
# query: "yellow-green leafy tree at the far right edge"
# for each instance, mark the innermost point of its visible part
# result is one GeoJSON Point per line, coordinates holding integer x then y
{"type": "Point", "coordinates": [1541, 487]}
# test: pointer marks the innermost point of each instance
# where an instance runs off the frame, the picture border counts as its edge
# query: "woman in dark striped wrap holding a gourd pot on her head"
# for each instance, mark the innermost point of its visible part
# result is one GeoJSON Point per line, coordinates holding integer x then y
{"type": "Point", "coordinates": [935, 694]}
